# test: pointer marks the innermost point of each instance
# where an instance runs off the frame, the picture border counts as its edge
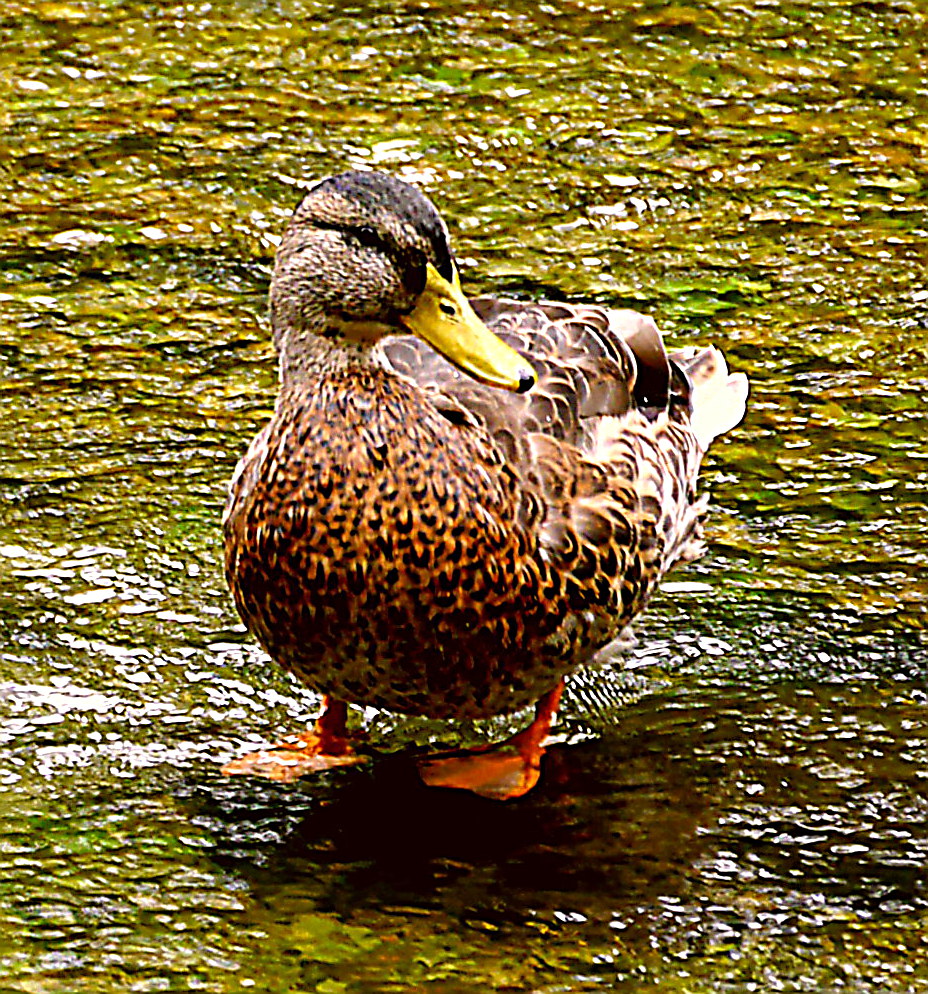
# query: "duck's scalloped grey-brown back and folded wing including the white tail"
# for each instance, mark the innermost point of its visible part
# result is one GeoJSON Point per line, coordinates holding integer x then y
{"type": "Point", "coordinates": [610, 437]}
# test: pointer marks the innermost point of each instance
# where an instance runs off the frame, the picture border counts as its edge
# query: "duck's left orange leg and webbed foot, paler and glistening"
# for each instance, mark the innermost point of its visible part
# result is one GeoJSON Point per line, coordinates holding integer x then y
{"type": "Point", "coordinates": [321, 747]}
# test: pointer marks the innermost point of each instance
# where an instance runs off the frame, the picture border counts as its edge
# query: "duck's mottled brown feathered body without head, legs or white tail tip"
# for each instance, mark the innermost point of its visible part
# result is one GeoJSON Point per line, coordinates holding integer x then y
{"type": "Point", "coordinates": [402, 536]}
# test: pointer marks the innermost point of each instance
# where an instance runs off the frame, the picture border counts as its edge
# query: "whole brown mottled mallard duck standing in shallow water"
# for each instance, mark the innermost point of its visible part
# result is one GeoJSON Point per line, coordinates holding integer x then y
{"type": "Point", "coordinates": [456, 503]}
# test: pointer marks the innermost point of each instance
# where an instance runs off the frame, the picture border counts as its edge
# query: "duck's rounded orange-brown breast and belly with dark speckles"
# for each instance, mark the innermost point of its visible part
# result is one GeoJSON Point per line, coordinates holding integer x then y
{"type": "Point", "coordinates": [375, 549]}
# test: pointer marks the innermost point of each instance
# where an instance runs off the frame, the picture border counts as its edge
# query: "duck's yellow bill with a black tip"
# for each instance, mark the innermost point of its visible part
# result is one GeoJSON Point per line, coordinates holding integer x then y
{"type": "Point", "coordinates": [444, 318]}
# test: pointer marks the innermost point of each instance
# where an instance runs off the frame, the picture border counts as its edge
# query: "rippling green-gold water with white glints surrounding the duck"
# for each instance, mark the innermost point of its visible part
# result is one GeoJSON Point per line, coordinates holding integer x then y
{"type": "Point", "coordinates": [753, 817]}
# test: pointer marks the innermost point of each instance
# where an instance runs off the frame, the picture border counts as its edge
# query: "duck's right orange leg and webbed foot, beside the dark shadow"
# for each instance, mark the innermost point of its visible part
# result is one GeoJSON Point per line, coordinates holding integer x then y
{"type": "Point", "coordinates": [509, 769]}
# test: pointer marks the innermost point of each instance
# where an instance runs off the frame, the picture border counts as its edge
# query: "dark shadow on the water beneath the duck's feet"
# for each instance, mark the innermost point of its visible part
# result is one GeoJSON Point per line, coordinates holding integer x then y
{"type": "Point", "coordinates": [611, 815]}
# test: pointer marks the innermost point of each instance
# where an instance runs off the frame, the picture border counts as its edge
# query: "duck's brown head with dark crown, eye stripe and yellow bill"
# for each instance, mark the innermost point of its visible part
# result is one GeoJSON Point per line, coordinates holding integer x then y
{"type": "Point", "coordinates": [366, 255]}
